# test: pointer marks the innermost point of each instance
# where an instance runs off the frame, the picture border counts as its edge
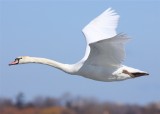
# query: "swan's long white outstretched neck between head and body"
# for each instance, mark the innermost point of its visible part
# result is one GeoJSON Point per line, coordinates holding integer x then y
{"type": "Point", "coordinates": [64, 67]}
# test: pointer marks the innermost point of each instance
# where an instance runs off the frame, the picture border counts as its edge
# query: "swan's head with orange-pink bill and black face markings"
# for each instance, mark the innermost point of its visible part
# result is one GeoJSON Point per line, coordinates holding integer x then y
{"type": "Point", "coordinates": [20, 60]}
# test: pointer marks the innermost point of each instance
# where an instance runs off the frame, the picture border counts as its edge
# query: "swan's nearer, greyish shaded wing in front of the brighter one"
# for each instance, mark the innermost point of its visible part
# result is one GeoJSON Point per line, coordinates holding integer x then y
{"type": "Point", "coordinates": [108, 52]}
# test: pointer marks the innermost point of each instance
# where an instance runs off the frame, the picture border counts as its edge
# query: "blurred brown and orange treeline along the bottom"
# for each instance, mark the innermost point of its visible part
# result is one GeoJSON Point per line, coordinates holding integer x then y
{"type": "Point", "coordinates": [71, 105]}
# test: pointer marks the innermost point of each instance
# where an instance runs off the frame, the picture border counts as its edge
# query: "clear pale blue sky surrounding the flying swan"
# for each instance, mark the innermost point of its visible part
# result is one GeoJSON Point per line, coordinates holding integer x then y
{"type": "Point", "coordinates": [52, 29]}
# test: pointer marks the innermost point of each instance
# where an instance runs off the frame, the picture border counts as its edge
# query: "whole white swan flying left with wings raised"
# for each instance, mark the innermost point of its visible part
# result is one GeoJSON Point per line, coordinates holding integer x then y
{"type": "Point", "coordinates": [104, 53]}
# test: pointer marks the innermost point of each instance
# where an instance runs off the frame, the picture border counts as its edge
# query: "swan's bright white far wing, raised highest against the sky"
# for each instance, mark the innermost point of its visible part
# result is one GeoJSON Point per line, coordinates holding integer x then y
{"type": "Point", "coordinates": [102, 27]}
